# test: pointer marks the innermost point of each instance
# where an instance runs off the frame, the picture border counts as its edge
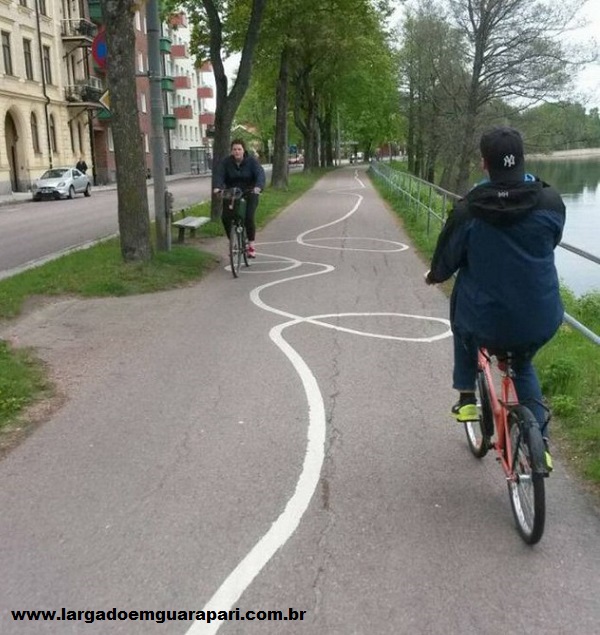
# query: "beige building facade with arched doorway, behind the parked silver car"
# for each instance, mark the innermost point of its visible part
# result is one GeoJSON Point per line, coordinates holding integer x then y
{"type": "Point", "coordinates": [47, 96]}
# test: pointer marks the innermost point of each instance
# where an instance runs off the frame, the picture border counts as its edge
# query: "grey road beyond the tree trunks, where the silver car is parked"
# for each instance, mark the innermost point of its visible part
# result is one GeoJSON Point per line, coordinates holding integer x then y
{"type": "Point", "coordinates": [30, 231]}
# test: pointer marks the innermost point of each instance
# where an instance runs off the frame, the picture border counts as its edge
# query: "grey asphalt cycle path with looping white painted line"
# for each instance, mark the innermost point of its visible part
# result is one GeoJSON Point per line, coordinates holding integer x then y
{"type": "Point", "coordinates": [278, 441]}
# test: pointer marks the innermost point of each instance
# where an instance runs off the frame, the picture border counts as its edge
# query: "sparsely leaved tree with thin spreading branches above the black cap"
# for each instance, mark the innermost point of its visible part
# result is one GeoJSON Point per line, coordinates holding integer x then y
{"type": "Point", "coordinates": [514, 53]}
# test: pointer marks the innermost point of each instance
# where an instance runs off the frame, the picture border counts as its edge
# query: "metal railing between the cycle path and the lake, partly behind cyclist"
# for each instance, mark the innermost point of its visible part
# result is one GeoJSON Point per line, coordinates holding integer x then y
{"type": "Point", "coordinates": [423, 196]}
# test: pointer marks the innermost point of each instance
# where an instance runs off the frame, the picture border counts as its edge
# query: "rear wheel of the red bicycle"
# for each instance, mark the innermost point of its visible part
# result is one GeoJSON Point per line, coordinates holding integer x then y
{"type": "Point", "coordinates": [526, 487]}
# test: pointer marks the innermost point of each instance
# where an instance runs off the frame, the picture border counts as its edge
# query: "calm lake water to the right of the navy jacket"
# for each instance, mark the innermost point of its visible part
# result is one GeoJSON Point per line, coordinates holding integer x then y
{"type": "Point", "coordinates": [578, 181]}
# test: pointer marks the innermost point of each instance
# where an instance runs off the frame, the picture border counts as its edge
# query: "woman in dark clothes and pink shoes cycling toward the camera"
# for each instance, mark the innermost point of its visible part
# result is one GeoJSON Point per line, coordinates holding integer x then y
{"type": "Point", "coordinates": [241, 170]}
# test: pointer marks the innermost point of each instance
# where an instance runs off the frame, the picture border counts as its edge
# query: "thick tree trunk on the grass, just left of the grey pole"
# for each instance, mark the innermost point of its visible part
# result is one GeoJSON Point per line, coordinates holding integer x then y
{"type": "Point", "coordinates": [133, 213]}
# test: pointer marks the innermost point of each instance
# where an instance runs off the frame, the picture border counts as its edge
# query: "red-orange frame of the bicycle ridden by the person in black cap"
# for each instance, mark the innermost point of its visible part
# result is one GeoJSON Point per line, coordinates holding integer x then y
{"type": "Point", "coordinates": [500, 409]}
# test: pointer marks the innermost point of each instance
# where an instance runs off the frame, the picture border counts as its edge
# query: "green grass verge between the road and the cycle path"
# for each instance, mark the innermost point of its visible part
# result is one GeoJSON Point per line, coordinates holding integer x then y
{"type": "Point", "coordinates": [99, 272]}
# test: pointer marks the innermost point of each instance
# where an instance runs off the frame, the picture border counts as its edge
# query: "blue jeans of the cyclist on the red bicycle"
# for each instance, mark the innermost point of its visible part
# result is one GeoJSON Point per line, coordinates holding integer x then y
{"type": "Point", "coordinates": [525, 378]}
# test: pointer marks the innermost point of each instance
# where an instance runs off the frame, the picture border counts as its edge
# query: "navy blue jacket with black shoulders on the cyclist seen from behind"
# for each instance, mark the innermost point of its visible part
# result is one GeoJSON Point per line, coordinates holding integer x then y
{"type": "Point", "coordinates": [501, 240]}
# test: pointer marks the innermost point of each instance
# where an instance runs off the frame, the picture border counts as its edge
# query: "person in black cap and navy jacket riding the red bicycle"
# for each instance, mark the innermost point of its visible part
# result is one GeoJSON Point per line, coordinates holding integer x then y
{"type": "Point", "coordinates": [500, 239]}
